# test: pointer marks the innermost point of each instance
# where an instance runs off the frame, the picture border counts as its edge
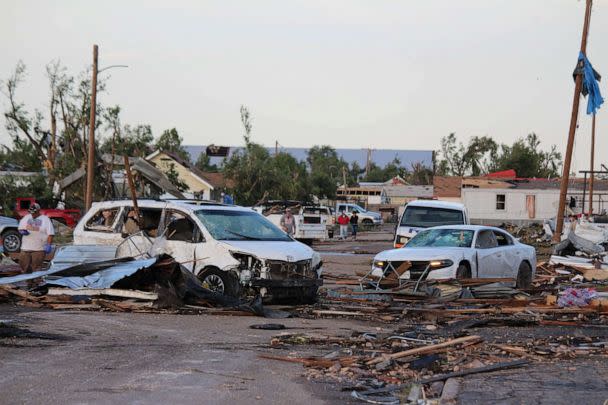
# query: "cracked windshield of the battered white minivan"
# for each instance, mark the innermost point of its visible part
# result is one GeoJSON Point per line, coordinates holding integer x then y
{"type": "Point", "coordinates": [240, 225]}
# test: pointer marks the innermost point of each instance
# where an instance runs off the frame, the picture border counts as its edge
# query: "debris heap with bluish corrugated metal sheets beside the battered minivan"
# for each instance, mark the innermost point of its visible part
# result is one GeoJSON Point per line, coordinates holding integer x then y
{"type": "Point", "coordinates": [127, 284]}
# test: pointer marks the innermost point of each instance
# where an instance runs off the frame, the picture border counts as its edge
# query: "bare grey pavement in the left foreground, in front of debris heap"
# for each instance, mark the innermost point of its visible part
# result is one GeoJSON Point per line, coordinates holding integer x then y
{"type": "Point", "coordinates": [101, 358]}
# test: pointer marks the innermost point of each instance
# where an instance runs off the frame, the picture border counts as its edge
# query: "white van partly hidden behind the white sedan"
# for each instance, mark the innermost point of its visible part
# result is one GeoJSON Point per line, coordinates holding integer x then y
{"type": "Point", "coordinates": [421, 214]}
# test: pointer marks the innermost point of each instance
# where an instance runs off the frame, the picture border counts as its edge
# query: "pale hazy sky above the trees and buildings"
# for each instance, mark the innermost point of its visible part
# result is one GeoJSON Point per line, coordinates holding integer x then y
{"type": "Point", "coordinates": [357, 74]}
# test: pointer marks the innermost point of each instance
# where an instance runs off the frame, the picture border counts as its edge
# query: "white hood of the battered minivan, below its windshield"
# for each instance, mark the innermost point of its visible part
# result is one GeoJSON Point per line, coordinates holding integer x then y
{"type": "Point", "coordinates": [273, 250]}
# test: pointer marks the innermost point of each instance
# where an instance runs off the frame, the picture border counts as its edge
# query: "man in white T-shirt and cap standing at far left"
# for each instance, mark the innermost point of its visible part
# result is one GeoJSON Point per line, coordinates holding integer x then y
{"type": "Point", "coordinates": [36, 239]}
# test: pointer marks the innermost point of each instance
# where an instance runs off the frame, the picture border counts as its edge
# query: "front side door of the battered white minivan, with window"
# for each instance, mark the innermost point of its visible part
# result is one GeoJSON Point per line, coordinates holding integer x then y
{"type": "Point", "coordinates": [180, 238]}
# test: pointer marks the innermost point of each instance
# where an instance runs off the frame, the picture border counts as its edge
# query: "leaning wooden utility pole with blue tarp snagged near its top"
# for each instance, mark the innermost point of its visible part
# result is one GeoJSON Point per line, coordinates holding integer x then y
{"type": "Point", "coordinates": [573, 118]}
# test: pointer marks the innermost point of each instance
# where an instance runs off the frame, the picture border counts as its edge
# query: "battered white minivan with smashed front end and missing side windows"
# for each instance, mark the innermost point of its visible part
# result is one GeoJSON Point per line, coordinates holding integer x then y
{"type": "Point", "coordinates": [231, 249]}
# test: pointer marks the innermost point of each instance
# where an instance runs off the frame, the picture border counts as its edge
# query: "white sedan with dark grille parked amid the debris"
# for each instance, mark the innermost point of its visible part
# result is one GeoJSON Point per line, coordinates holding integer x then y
{"type": "Point", "coordinates": [460, 251]}
